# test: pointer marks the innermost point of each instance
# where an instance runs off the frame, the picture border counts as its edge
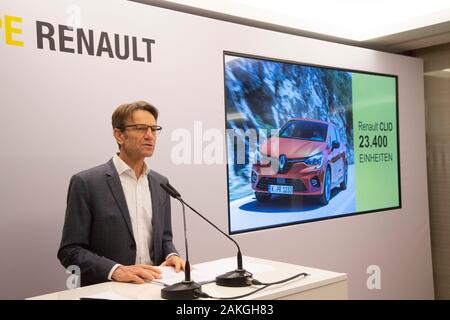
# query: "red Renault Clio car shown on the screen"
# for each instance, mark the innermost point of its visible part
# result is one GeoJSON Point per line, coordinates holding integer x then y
{"type": "Point", "coordinates": [305, 158]}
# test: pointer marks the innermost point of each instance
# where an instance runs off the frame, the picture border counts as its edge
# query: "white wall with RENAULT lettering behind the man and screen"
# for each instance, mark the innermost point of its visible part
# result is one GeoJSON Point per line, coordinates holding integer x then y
{"type": "Point", "coordinates": [56, 110]}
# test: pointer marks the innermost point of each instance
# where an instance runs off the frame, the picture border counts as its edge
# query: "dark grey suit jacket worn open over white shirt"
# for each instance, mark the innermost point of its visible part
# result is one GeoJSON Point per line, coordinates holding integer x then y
{"type": "Point", "coordinates": [97, 231]}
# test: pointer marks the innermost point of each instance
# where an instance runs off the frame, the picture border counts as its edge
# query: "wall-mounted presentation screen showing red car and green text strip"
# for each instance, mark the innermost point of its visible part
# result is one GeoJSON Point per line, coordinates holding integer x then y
{"type": "Point", "coordinates": [307, 143]}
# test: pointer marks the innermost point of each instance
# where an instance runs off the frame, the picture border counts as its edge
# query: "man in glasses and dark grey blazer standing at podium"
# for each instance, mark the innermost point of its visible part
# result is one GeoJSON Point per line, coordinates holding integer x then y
{"type": "Point", "coordinates": [118, 219]}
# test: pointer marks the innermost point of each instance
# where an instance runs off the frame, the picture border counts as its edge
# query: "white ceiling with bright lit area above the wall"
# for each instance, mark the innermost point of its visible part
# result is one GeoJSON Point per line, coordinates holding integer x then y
{"type": "Point", "coordinates": [387, 25]}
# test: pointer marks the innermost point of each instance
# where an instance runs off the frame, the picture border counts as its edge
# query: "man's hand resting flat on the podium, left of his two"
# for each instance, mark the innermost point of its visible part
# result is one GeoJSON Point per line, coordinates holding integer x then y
{"type": "Point", "coordinates": [136, 273]}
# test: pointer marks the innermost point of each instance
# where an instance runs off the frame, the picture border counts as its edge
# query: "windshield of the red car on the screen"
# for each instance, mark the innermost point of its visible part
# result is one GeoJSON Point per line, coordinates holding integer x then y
{"type": "Point", "coordinates": [304, 130]}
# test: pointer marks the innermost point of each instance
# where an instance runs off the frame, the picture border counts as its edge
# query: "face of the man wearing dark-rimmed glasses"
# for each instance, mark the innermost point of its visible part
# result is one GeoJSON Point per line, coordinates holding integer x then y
{"type": "Point", "coordinates": [136, 143]}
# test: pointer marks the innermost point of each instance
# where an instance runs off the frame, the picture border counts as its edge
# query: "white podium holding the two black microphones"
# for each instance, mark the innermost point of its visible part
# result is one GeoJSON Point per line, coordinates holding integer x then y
{"type": "Point", "coordinates": [320, 284]}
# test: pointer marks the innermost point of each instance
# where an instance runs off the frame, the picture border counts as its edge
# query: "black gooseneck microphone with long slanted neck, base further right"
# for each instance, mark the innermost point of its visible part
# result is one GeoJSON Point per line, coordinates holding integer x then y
{"type": "Point", "coordinates": [237, 278]}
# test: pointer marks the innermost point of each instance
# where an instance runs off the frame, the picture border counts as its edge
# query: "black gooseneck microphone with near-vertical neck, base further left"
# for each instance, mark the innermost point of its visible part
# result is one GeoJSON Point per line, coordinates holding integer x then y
{"type": "Point", "coordinates": [185, 290]}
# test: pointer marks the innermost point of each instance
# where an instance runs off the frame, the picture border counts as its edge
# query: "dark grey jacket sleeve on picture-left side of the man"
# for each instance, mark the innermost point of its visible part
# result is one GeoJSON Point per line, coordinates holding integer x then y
{"type": "Point", "coordinates": [74, 248]}
